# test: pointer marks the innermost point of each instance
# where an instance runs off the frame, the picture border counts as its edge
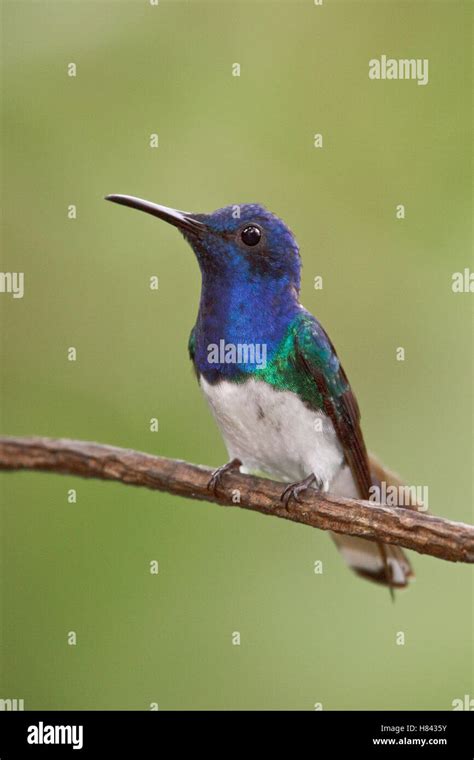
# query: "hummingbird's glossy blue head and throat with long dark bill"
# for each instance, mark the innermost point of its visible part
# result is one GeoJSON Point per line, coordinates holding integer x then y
{"type": "Point", "coordinates": [250, 267]}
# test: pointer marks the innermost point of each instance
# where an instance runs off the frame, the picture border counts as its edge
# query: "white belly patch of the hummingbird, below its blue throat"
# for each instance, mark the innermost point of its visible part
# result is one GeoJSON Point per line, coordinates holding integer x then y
{"type": "Point", "coordinates": [274, 432]}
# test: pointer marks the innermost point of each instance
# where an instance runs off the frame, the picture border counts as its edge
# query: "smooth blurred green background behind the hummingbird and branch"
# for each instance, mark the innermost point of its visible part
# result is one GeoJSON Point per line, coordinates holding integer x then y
{"type": "Point", "coordinates": [84, 567]}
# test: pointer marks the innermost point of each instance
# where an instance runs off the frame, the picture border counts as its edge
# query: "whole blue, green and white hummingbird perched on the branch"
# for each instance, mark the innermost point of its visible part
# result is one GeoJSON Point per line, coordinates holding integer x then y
{"type": "Point", "coordinates": [269, 371]}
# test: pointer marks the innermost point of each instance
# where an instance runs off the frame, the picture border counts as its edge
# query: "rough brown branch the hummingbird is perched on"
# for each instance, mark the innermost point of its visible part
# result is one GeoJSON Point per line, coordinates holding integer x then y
{"type": "Point", "coordinates": [409, 528]}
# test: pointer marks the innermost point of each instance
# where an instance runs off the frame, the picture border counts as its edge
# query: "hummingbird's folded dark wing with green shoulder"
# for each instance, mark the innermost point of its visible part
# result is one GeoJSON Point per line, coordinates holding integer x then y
{"type": "Point", "coordinates": [316, 356]}
